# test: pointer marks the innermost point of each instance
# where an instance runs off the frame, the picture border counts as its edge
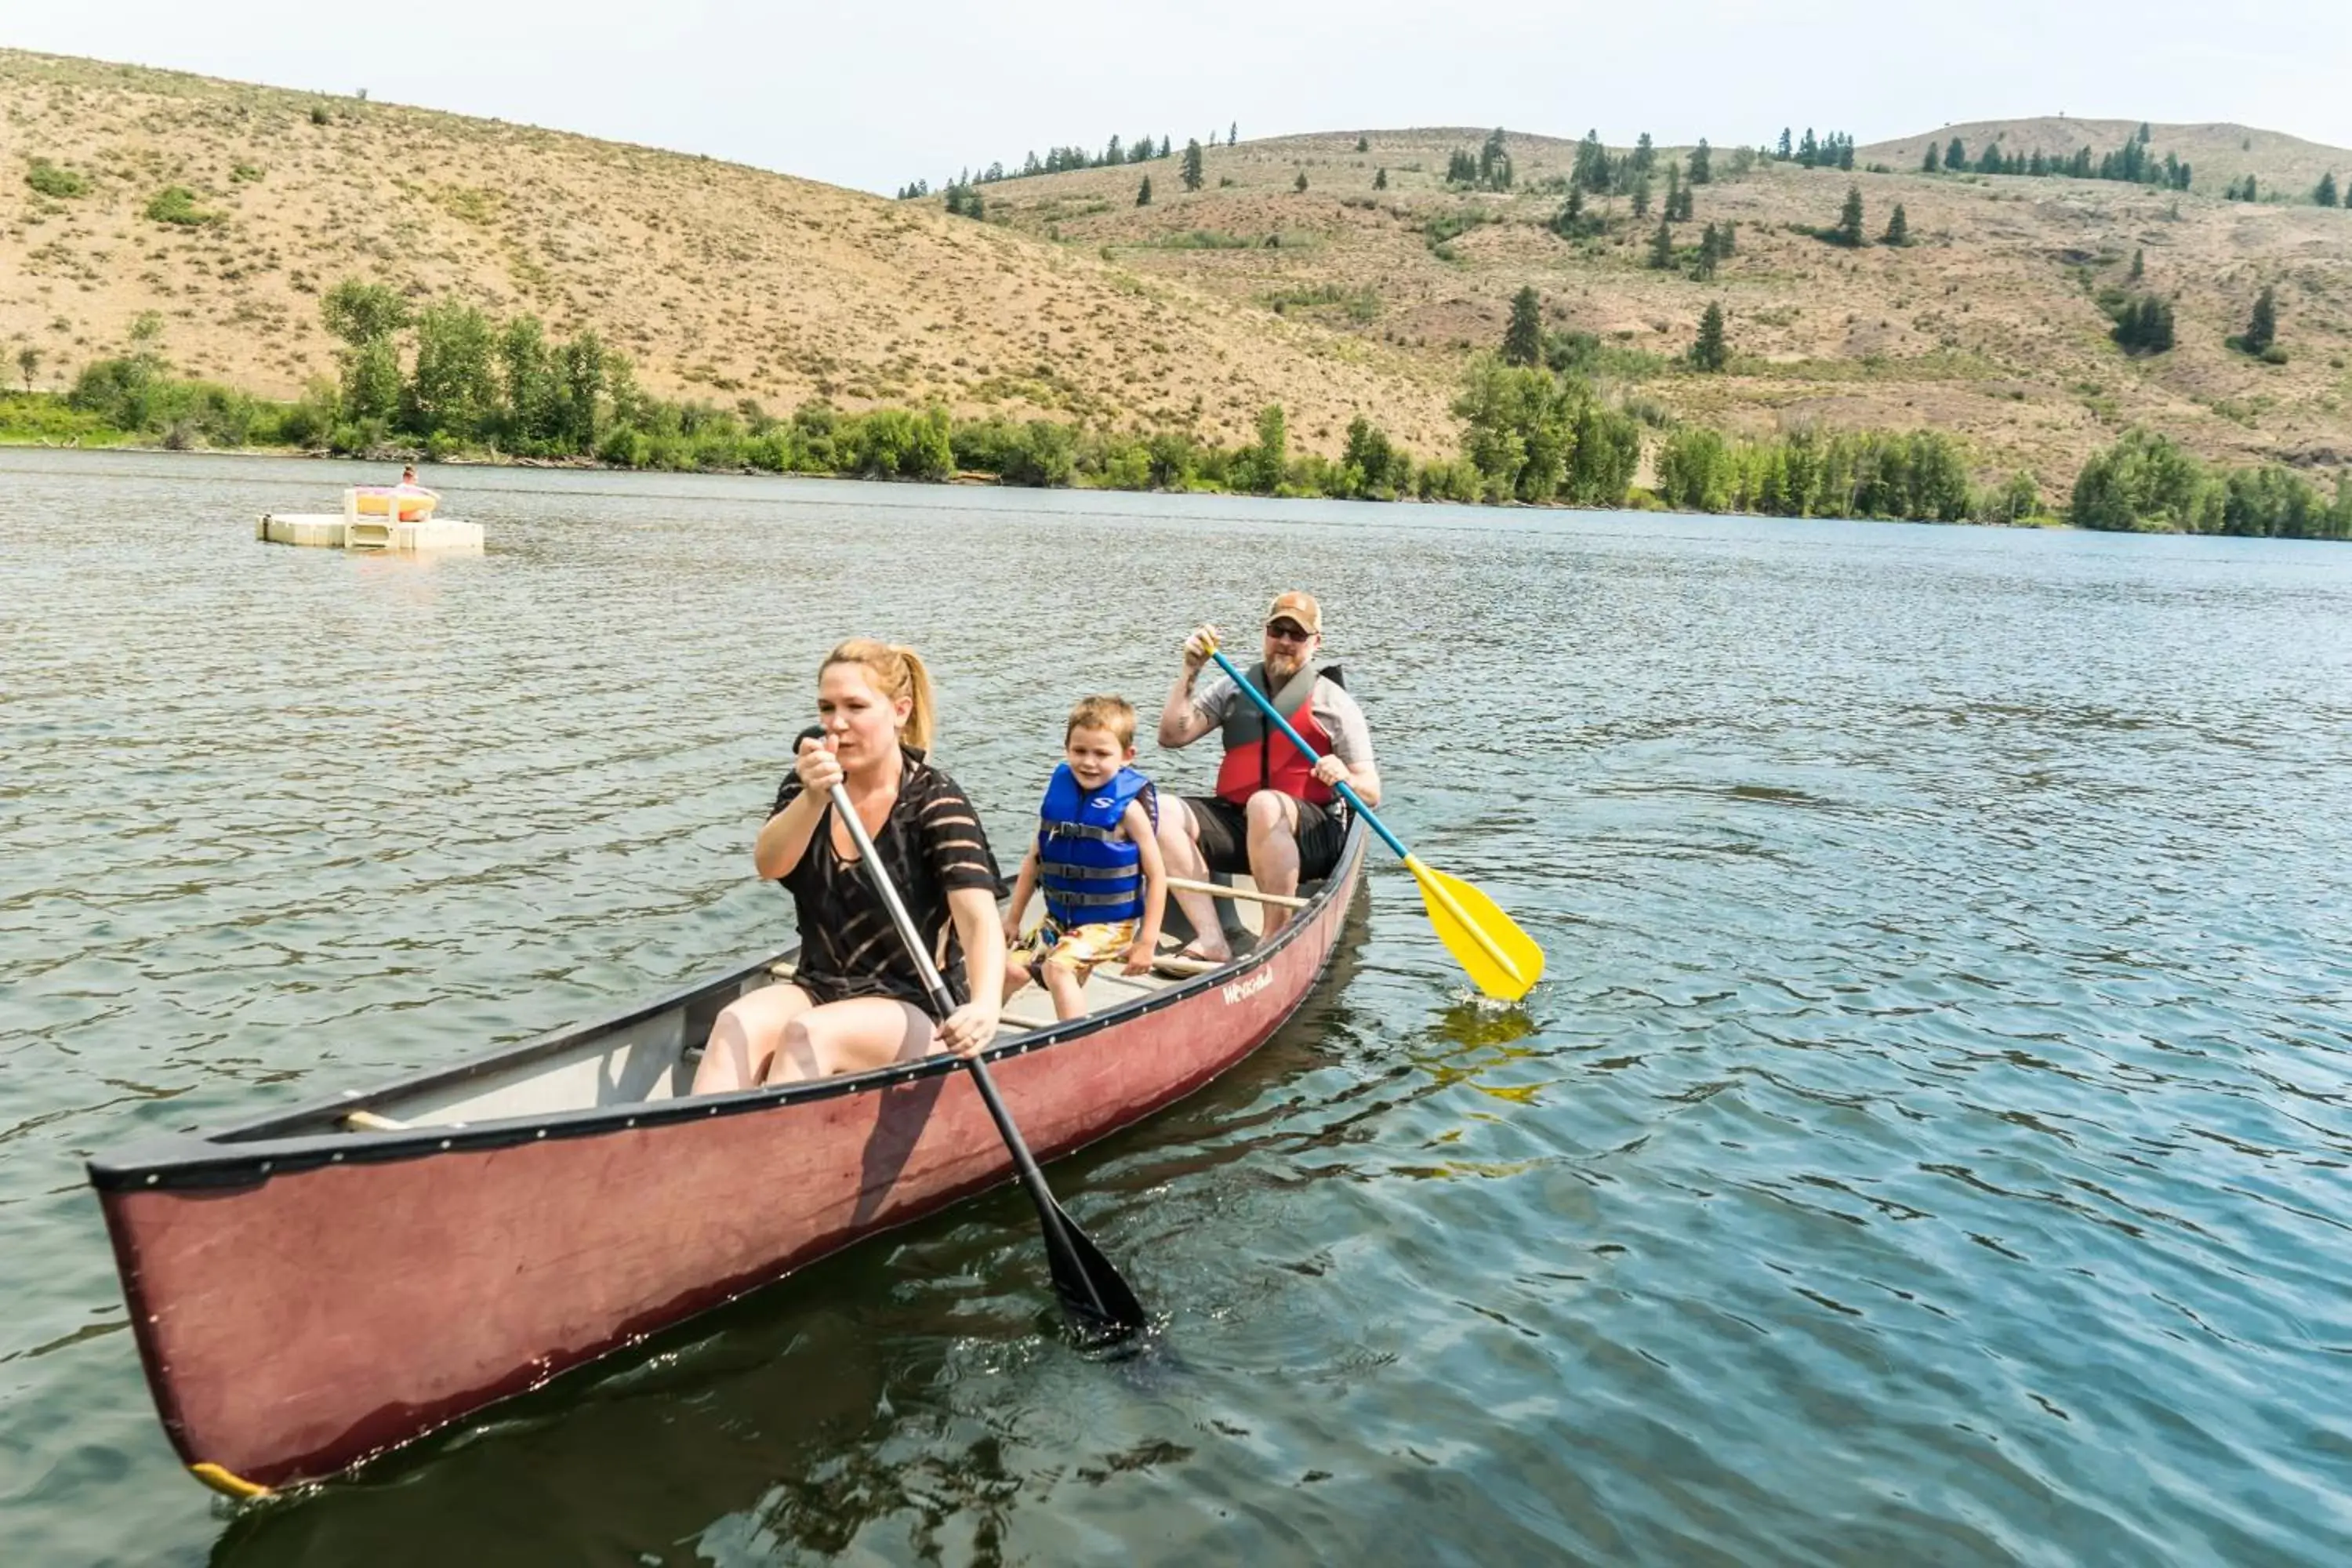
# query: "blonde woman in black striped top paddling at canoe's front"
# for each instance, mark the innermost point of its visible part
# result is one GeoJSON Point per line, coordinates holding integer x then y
{"type": "Point", "coordinates": [857, 1000]}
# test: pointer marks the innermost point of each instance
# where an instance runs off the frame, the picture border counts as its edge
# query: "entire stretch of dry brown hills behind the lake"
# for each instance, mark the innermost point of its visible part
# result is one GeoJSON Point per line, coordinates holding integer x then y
{"type": "Point", "coordinates": [229, 210]}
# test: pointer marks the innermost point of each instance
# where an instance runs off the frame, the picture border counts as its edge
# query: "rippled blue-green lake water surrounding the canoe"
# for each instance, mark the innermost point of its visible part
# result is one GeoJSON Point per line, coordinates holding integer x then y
{"type": "Point", "coordinates": [1930, 1144]}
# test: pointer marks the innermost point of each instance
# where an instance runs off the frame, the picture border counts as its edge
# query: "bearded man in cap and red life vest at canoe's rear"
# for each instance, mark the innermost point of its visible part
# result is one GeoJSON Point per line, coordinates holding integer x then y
{"type": "Point", "coordinates": [1274, 815]}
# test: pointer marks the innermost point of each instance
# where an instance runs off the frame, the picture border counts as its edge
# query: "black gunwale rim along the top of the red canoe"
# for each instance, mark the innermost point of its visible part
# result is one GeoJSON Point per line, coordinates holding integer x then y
{"type": "Point", "coordinates": [253, 1153]}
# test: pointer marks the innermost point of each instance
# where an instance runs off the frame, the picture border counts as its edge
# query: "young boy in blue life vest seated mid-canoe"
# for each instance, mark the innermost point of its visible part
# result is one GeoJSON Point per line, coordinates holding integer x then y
{"type": "Point", "coordinates": [1097, 857]}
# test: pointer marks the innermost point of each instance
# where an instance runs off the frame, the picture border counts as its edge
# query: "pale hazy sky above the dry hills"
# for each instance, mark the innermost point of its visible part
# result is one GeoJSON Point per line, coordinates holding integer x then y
{"type": "Point", "coordinates": [878, 95]}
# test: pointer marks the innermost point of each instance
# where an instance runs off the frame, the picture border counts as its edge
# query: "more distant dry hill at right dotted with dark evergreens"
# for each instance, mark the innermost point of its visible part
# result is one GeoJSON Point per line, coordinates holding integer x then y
{"type": "Point", "coordinates": [1986, 326]}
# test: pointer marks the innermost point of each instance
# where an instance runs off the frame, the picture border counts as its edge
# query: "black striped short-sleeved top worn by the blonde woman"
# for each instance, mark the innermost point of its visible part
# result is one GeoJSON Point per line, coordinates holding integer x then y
{"type": "Point", "coordinates": [930, 845]}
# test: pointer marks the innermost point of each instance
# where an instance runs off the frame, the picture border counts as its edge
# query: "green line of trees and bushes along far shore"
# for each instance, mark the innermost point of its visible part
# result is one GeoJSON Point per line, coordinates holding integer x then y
{"type": "Point", "coordinates": [453, 382]}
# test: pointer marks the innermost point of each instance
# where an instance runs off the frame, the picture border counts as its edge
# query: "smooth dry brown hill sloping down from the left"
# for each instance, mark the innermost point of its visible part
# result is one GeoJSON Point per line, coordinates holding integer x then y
{"type": "Point", "coordinates": [721, 281]}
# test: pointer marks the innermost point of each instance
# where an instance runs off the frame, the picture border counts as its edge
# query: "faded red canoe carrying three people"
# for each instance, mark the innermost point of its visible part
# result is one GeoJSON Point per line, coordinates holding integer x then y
{"type": "Point", "coordinates": [326, 1285]}
